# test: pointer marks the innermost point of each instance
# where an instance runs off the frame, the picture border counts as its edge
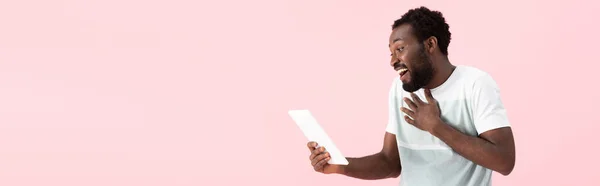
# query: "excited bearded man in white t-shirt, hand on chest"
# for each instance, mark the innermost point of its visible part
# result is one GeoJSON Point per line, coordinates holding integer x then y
{"type": "Point", "coordinates": [447, 124]}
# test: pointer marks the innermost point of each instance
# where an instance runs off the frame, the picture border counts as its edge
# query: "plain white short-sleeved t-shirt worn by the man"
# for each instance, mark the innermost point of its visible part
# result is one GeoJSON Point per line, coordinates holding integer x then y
{"type": "Point", "coordinates": [469, 101]}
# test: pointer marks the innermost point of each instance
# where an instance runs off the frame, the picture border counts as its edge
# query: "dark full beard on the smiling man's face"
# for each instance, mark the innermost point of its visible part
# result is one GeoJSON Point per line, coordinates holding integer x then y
{"type": "Point", "coordinates": [421, 72]}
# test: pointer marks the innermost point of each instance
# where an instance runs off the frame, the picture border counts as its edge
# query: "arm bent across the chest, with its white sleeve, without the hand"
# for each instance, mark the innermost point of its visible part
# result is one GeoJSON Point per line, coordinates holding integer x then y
{"type": "Point", "coordinates": [494, 148]}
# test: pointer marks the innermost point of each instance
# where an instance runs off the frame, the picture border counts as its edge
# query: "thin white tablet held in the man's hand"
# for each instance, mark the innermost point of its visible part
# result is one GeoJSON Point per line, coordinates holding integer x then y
{"type": "Point", "coordinates": [314, 132]}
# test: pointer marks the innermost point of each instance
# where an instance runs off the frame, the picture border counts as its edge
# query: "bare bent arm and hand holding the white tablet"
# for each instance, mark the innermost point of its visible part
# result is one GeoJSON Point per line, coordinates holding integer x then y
{"type": "Point", "coordinates": [384, 164]}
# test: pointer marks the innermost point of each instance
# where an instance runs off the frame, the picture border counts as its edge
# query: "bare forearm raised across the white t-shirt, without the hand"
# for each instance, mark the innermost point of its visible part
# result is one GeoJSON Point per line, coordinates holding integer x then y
{"type": "Point", "coordinates": [476, 149]}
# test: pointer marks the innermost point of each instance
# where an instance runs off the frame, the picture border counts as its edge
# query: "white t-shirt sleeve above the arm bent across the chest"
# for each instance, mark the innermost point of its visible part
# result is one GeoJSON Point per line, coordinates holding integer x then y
{"type": "Point", "coordinates": [488, 110]}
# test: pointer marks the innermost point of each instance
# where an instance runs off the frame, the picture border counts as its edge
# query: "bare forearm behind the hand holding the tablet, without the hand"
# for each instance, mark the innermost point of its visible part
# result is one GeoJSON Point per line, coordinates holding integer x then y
{"type": "Point", "coordinates": [376, 166]}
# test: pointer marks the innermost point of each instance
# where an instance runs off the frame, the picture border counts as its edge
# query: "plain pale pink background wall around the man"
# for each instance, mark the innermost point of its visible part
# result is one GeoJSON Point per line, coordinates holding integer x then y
{"type": "Point", "coordinates": [132, 92]}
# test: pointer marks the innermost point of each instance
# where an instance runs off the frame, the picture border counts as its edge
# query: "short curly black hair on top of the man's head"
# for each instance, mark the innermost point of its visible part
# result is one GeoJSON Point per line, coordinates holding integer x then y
{"type": "Point", "coordinates": [426, 23]}
